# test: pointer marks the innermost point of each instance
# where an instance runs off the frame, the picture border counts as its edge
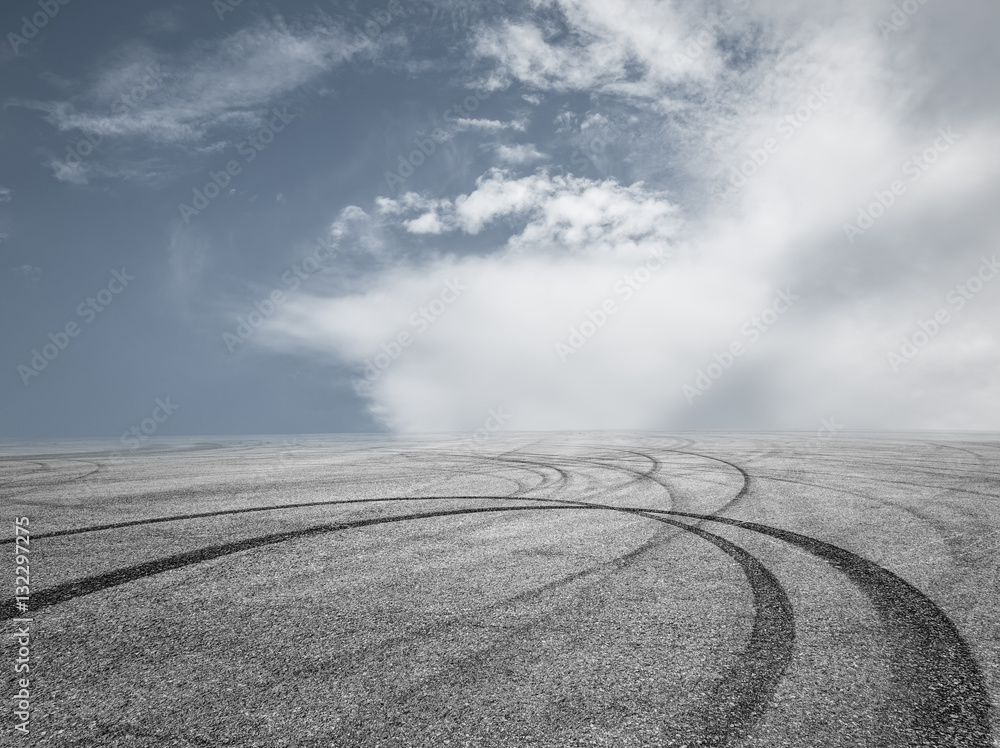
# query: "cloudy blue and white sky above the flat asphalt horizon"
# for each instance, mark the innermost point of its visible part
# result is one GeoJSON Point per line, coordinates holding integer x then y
{"type": "Point", "coordinates": [406, 216]}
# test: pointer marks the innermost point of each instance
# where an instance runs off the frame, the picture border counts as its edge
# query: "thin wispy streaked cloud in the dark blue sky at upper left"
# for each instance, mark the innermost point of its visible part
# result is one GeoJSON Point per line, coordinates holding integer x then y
{"type": "Point", "coordinates": [144, 98]}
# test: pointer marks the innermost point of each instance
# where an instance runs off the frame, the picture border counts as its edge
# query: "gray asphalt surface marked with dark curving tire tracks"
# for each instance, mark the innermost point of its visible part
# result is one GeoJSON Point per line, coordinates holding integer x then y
{"type": "Point", "coordinates": [583, 589]}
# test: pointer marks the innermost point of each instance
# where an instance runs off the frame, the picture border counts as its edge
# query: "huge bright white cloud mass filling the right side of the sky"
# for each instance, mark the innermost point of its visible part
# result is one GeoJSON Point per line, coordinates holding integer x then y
{"type": "Point", "coordinates": [807, 117]}
